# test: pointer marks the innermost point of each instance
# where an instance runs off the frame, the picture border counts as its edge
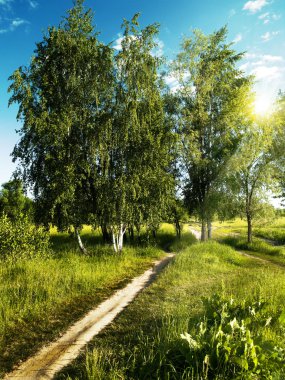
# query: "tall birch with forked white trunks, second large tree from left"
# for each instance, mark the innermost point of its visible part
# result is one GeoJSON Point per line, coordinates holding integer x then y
{"type": "Point", "coordinates": [137, 160]}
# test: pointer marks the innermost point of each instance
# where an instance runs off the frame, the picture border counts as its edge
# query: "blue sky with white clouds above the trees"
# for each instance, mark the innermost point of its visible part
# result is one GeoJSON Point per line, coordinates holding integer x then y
{"type": "Point", "coordinates": [256, 27]}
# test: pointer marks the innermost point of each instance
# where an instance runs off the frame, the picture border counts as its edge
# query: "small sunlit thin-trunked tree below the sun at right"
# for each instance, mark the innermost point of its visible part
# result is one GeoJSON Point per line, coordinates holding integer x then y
{"type": "Point", "coordinates": [252, 170]}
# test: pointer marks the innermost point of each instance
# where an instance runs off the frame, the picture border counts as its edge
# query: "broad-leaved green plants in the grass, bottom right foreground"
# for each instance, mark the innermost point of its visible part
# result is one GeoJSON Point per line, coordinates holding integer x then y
{"type": "Point", "coordinates": [231, 340]}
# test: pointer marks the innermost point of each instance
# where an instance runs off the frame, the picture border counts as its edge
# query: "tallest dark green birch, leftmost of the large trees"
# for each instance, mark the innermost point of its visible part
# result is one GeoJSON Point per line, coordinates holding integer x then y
{"type": "Point", "coordinates": [64, 99]}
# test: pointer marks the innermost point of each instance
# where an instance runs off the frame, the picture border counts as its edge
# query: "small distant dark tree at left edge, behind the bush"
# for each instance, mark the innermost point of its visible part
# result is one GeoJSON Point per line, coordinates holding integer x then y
{"type": "Point", "coordinates": [13, 202]}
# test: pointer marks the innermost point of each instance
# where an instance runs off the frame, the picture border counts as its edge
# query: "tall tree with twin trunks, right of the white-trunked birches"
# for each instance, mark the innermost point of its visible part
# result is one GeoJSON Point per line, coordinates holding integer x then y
{"type": "Point", "coordinates": [214, 97]}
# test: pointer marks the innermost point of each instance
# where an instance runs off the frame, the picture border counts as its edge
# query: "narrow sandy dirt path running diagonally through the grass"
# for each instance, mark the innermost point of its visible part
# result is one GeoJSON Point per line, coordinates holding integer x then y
{"type": "Point", "coordinates": [52, 358]}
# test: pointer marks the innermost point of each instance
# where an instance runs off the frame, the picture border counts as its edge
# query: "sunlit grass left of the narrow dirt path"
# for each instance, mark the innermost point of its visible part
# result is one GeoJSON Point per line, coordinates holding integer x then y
{"type": "Point", "coordinates": [41, 297]}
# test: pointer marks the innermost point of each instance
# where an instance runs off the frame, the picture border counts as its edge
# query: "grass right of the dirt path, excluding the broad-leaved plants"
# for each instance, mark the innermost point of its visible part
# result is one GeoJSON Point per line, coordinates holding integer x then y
{"type": "Point", "coordinates": [142, 345]}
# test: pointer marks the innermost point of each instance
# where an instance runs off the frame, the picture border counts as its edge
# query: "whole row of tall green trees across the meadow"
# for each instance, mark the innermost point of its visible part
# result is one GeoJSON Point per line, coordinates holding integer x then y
{"type": "Point", "coordinates": [105, 141]}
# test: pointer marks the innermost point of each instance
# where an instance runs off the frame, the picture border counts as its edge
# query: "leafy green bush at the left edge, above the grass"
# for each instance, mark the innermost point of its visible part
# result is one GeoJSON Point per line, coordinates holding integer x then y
{"type": "Point", "coordinates": [22, 240]}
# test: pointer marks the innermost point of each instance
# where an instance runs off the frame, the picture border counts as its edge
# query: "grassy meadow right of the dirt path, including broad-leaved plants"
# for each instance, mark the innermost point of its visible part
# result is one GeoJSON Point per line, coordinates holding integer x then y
{"type": "Point", "coordinates": [212, 314]}
